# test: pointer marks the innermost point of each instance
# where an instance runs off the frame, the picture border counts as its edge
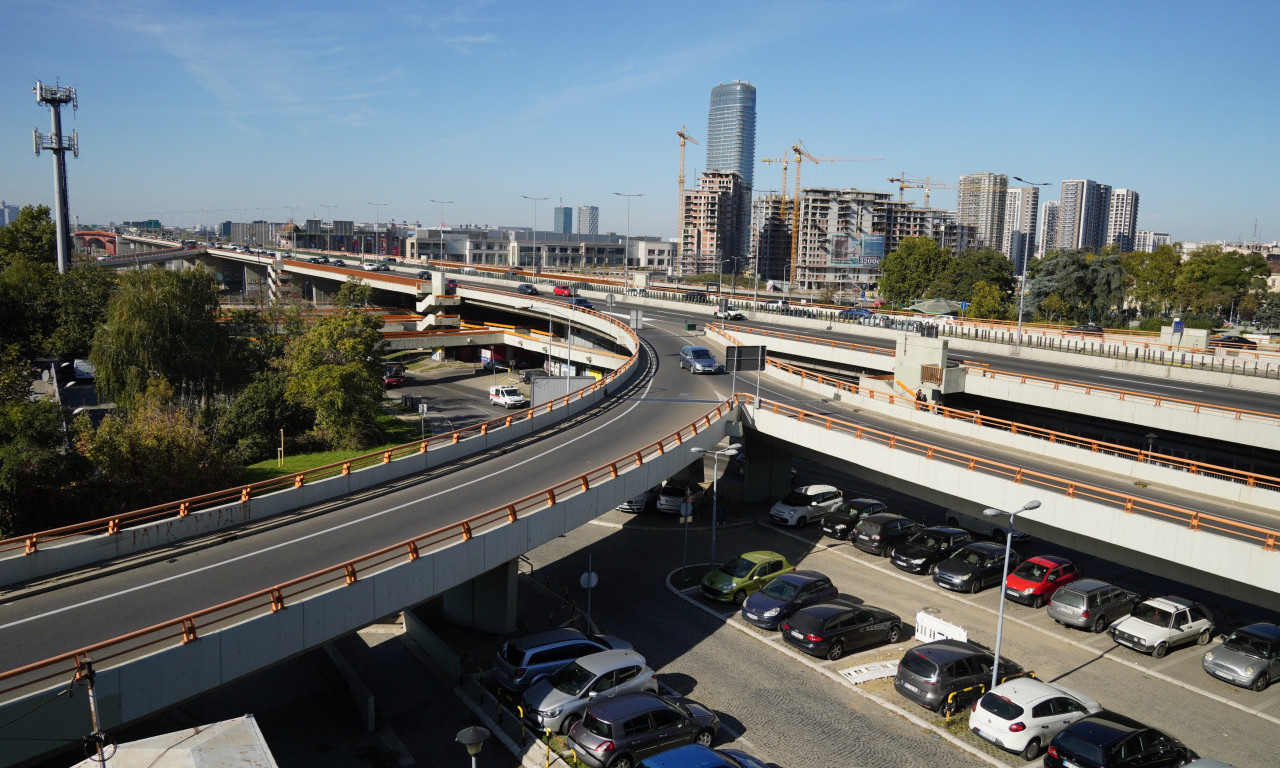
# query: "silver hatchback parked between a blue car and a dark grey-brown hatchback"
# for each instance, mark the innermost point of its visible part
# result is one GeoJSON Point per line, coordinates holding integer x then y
{"type": "Point", "coordinates": [559, 701]}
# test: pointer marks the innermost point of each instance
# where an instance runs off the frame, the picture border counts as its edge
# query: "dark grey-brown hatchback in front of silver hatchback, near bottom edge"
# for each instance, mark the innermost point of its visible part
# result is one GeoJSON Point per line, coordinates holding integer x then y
{"type": "Point", "coordinates": [618, 732]}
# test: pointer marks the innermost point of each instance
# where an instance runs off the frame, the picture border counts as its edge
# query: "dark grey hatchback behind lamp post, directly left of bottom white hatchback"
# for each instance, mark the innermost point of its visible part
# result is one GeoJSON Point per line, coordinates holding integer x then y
{"type": "Point", "coordinates": [930, 674]}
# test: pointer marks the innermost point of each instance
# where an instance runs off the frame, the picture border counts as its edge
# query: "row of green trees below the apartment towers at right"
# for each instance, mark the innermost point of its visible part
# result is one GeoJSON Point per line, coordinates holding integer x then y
{"type": "Point", "coordinates": [1078, 286]}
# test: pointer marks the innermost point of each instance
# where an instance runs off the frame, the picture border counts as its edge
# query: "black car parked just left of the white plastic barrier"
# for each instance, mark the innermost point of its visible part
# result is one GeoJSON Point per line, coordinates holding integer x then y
{"type": "Point", "coordinates": [830, 629]}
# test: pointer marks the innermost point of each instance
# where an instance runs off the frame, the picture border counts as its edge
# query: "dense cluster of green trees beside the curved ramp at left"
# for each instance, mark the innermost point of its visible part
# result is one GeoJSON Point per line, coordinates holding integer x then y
{"type": "Point", "coordinates": [199, 391]}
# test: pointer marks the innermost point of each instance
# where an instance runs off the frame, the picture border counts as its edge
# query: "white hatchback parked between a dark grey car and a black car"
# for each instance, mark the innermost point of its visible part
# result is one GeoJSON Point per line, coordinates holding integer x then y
{"type": "Point", "coordinates": [1025, 715]}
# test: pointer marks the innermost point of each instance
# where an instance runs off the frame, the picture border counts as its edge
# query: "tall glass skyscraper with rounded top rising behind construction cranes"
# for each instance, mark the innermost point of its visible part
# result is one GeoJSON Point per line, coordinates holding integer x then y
{"type": "Point", "coordinates": [732, 149]}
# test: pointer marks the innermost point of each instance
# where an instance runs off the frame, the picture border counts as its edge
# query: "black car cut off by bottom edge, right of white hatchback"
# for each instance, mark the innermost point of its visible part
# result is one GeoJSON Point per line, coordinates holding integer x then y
{"type": "Point", "coordinates": [1112, 739]}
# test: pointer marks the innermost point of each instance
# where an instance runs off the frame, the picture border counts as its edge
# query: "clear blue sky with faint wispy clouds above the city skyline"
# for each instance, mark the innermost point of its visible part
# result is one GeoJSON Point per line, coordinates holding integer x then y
{"type": "Point", "coordinates": [236, 111]}
